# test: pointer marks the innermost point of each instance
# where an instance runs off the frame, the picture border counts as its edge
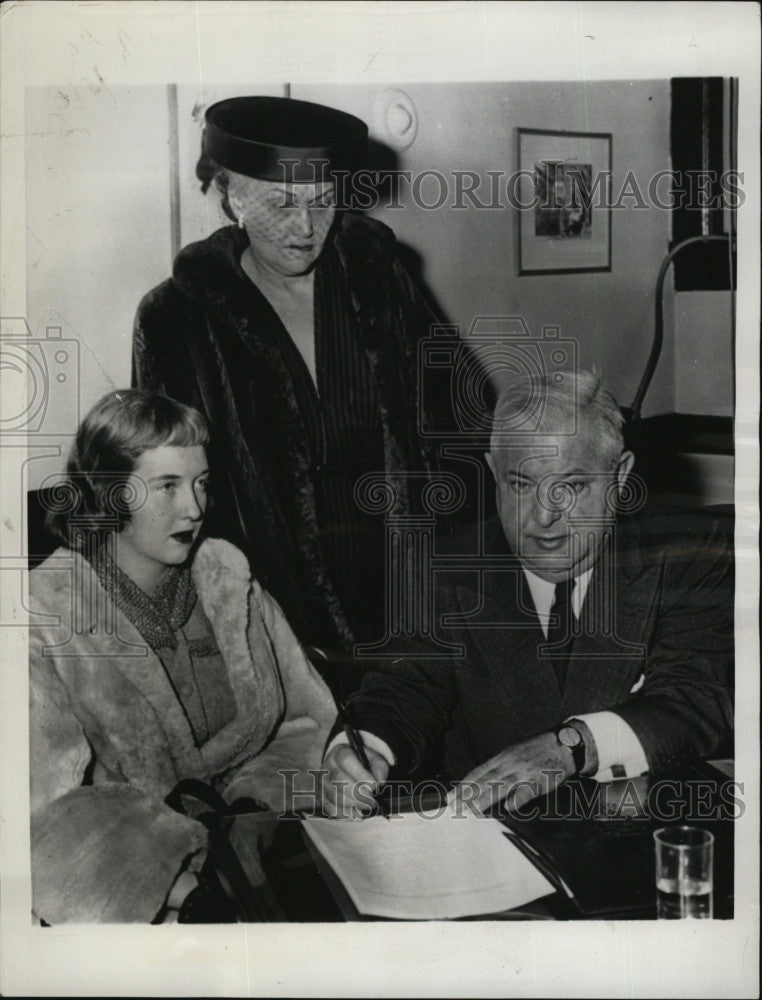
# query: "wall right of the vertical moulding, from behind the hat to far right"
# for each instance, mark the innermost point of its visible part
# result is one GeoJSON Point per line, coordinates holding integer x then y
{"type": "Point", "coordinates": [467, 256]}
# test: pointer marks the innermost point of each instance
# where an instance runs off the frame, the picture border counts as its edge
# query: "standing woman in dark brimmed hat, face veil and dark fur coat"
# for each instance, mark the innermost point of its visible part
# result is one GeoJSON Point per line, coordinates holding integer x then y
{"type": "Point", "coordinates": [296, 332]}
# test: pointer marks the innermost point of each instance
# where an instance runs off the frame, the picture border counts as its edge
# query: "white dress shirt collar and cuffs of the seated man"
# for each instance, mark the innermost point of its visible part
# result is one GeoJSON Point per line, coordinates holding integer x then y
{"type": "Point", "coordinates": [620, 754]}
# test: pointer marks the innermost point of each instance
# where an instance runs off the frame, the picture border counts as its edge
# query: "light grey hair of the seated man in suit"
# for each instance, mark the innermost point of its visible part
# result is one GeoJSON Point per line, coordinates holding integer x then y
{"type": "Point", "coordinates": [559, 403]}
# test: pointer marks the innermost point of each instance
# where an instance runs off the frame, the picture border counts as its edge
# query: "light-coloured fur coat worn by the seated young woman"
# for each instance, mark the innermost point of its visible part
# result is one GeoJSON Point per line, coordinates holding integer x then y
{"type": "Point", "coordinates": [109, 738]}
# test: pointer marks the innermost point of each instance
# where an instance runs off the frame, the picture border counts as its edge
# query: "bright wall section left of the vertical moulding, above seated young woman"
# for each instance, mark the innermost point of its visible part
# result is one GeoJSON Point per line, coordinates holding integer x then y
{"type": "Point", "coordinates": [98, 234]}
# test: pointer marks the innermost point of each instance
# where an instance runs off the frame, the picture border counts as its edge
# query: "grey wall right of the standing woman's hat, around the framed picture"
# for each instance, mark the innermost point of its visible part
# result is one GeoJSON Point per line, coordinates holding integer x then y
{"type": "Point", "coordinates": [469, 256]}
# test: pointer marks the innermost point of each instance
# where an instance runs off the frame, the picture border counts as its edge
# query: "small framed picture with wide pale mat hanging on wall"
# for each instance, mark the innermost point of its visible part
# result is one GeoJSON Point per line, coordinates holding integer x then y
{"type": "Point", "coordinates": [562, 199]}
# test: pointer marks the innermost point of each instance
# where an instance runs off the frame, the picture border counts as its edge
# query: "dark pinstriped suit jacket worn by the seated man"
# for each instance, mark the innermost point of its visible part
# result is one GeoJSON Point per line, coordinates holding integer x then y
{"type": "Point", "coordinates": [669, 583]}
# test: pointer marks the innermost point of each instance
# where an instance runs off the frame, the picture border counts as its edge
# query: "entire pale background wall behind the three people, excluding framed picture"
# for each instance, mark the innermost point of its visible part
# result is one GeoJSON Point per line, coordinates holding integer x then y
{"type": "Point", "coordinates": [98, 217]}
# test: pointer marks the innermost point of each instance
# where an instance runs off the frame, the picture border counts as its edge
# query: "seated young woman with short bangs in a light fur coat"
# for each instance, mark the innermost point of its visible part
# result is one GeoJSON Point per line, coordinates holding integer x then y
{"type": "Point", "coordinates": [154, 656]}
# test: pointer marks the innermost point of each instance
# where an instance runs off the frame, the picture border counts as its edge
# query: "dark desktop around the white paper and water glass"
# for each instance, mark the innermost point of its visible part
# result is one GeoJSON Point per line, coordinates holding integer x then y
{"type": "Point", "coordinates": [606, 858]}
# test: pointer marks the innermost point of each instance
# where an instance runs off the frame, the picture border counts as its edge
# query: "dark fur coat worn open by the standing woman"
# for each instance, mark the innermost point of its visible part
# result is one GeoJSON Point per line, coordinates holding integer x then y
{"type": "Point", "coordinates": [197, 339]}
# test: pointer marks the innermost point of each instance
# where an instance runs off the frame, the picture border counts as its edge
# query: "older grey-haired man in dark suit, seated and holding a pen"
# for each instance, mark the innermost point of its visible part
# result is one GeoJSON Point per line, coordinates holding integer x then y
{"type": "Point", "coordinates": [589, 643]}
